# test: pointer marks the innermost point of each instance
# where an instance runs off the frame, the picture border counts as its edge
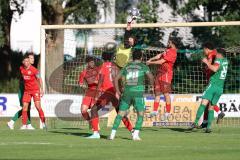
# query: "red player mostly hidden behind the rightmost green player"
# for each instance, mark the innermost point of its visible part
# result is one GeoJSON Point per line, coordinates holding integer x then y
{"type": "Point", "coordinates": [210, 53]}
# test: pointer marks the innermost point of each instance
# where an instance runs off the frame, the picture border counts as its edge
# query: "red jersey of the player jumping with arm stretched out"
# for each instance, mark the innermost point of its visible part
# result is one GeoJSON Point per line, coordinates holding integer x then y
{"type": "Point", "coordinates": [170, 56]}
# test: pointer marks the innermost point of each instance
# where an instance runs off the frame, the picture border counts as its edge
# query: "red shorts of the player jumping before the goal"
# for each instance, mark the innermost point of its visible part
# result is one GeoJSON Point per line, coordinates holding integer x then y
{"type": "Point", "coordinates": [163, 84]}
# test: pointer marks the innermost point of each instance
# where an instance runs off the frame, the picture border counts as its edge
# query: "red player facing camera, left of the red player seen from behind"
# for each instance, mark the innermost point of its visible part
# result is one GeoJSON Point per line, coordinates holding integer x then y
{"type": "Point", "coordinates": [90, 77]}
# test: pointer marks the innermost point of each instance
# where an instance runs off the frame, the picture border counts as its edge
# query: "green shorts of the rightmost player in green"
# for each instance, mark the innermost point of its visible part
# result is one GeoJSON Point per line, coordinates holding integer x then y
{"type": "Point", "coordinates": [212, 93]}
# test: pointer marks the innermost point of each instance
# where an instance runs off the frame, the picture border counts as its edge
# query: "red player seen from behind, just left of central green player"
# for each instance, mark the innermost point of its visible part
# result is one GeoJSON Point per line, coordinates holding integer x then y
{"type": "Point", "coordinates": [108, 71]}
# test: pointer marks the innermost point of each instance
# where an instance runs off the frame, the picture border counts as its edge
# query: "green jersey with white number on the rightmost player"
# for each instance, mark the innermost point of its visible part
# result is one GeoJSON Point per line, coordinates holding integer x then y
{"type": "Point", "coordinates": [218, 78]}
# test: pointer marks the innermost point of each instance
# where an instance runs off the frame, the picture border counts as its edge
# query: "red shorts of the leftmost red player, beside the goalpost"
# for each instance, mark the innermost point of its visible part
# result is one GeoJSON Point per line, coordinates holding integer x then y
{"type": "Point", "coordinates": [27, 96]}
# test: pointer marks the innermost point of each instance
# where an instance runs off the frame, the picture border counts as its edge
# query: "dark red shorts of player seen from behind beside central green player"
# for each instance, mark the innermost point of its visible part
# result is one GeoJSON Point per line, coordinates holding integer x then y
{"type": "Point", "coordinates": [108, 96]}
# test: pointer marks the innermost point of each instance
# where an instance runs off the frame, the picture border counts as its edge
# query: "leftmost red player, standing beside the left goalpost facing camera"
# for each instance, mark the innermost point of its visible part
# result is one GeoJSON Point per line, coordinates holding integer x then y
{"type": "Point", "coordinates": [32, 88]}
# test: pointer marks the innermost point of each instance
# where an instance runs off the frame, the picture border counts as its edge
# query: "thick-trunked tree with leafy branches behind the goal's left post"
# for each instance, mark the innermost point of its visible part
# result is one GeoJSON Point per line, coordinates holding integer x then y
{"type": "Point", "coordinates": [59, 12]}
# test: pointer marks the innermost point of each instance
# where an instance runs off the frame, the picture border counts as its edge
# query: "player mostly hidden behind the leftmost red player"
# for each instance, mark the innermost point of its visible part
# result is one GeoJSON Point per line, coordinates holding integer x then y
{"type": "Point", "coordinates": [20, 95]}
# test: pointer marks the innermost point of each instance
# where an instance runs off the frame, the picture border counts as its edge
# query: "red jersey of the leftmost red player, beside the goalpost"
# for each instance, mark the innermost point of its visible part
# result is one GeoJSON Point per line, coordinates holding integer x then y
{"type": "Point", "coordinates": [30, 78]}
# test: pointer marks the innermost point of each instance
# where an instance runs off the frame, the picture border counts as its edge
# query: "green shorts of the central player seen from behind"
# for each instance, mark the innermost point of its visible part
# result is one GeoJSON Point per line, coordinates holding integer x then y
{"type": "Point", "coordinates": [132, 98]}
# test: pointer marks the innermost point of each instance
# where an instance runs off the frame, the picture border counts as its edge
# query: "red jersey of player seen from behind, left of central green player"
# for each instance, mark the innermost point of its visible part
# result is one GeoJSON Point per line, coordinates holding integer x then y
{"type": "Point", "coordinates": [108, 70]}
